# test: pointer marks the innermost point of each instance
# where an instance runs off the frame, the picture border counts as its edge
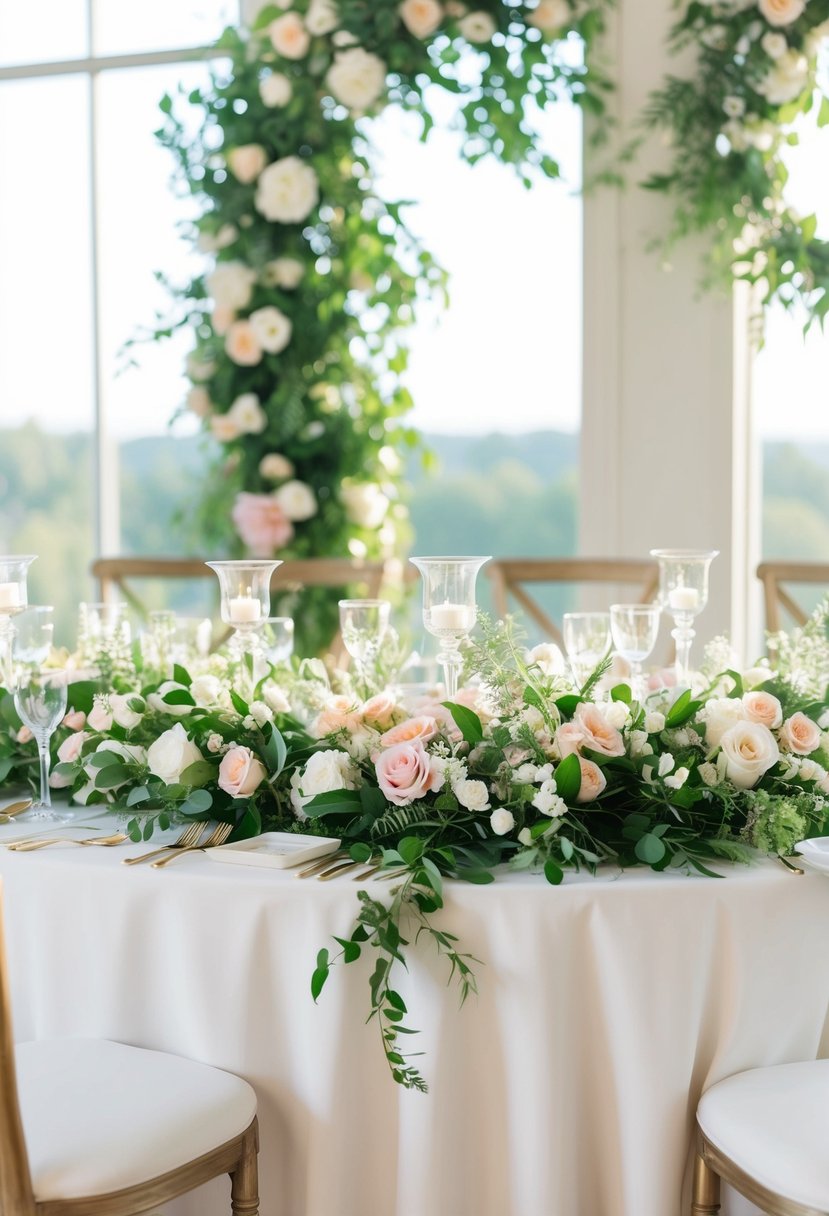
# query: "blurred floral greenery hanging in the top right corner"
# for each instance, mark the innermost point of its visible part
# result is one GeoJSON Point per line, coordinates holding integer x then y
{"type": "Point", "coordinates": [757, 75]}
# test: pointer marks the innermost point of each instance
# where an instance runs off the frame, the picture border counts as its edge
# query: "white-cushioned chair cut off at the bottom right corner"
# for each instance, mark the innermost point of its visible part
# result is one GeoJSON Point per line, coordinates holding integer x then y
{"type": "Point", "coordinates": [765, 1134]}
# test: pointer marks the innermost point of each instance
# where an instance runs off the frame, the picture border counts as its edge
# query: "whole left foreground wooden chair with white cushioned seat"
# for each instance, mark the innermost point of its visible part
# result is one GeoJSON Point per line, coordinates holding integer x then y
{"type": "Point", "coordinates": [92, 1128]}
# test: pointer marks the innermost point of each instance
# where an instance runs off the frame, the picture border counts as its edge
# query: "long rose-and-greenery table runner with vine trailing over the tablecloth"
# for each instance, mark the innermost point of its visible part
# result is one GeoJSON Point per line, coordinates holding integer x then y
{"type": "Point", "coordinates": [521, 769]}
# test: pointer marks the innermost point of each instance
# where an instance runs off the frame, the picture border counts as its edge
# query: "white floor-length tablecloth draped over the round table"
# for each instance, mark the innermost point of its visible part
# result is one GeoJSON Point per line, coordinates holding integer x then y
{"type": "Point", "coordinates": [566, 1089]}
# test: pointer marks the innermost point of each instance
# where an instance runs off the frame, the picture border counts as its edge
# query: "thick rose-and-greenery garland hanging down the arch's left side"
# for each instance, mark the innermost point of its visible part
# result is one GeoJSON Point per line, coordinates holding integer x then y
{"type": "Point", "coordinates": [298, 316]}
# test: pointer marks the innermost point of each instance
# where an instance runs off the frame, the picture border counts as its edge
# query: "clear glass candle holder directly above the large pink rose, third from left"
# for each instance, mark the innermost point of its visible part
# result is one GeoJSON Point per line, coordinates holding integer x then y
{"type": "Point", "coordinates": [449, 609]}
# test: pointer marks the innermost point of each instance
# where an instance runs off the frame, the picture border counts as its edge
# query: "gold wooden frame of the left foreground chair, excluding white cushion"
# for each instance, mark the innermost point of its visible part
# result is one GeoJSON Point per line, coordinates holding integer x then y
{"type": "Point", "coordinates": [236, 1157]}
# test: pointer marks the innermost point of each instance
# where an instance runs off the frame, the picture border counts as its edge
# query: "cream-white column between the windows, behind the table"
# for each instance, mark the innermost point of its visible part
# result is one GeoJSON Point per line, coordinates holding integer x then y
{"type": "Point", "coordinates": [664, 454]}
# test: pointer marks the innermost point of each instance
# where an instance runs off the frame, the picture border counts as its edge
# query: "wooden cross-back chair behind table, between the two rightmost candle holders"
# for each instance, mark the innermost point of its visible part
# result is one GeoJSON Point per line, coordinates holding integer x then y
{"type": "Point", "coordinates": [510, 575]}
